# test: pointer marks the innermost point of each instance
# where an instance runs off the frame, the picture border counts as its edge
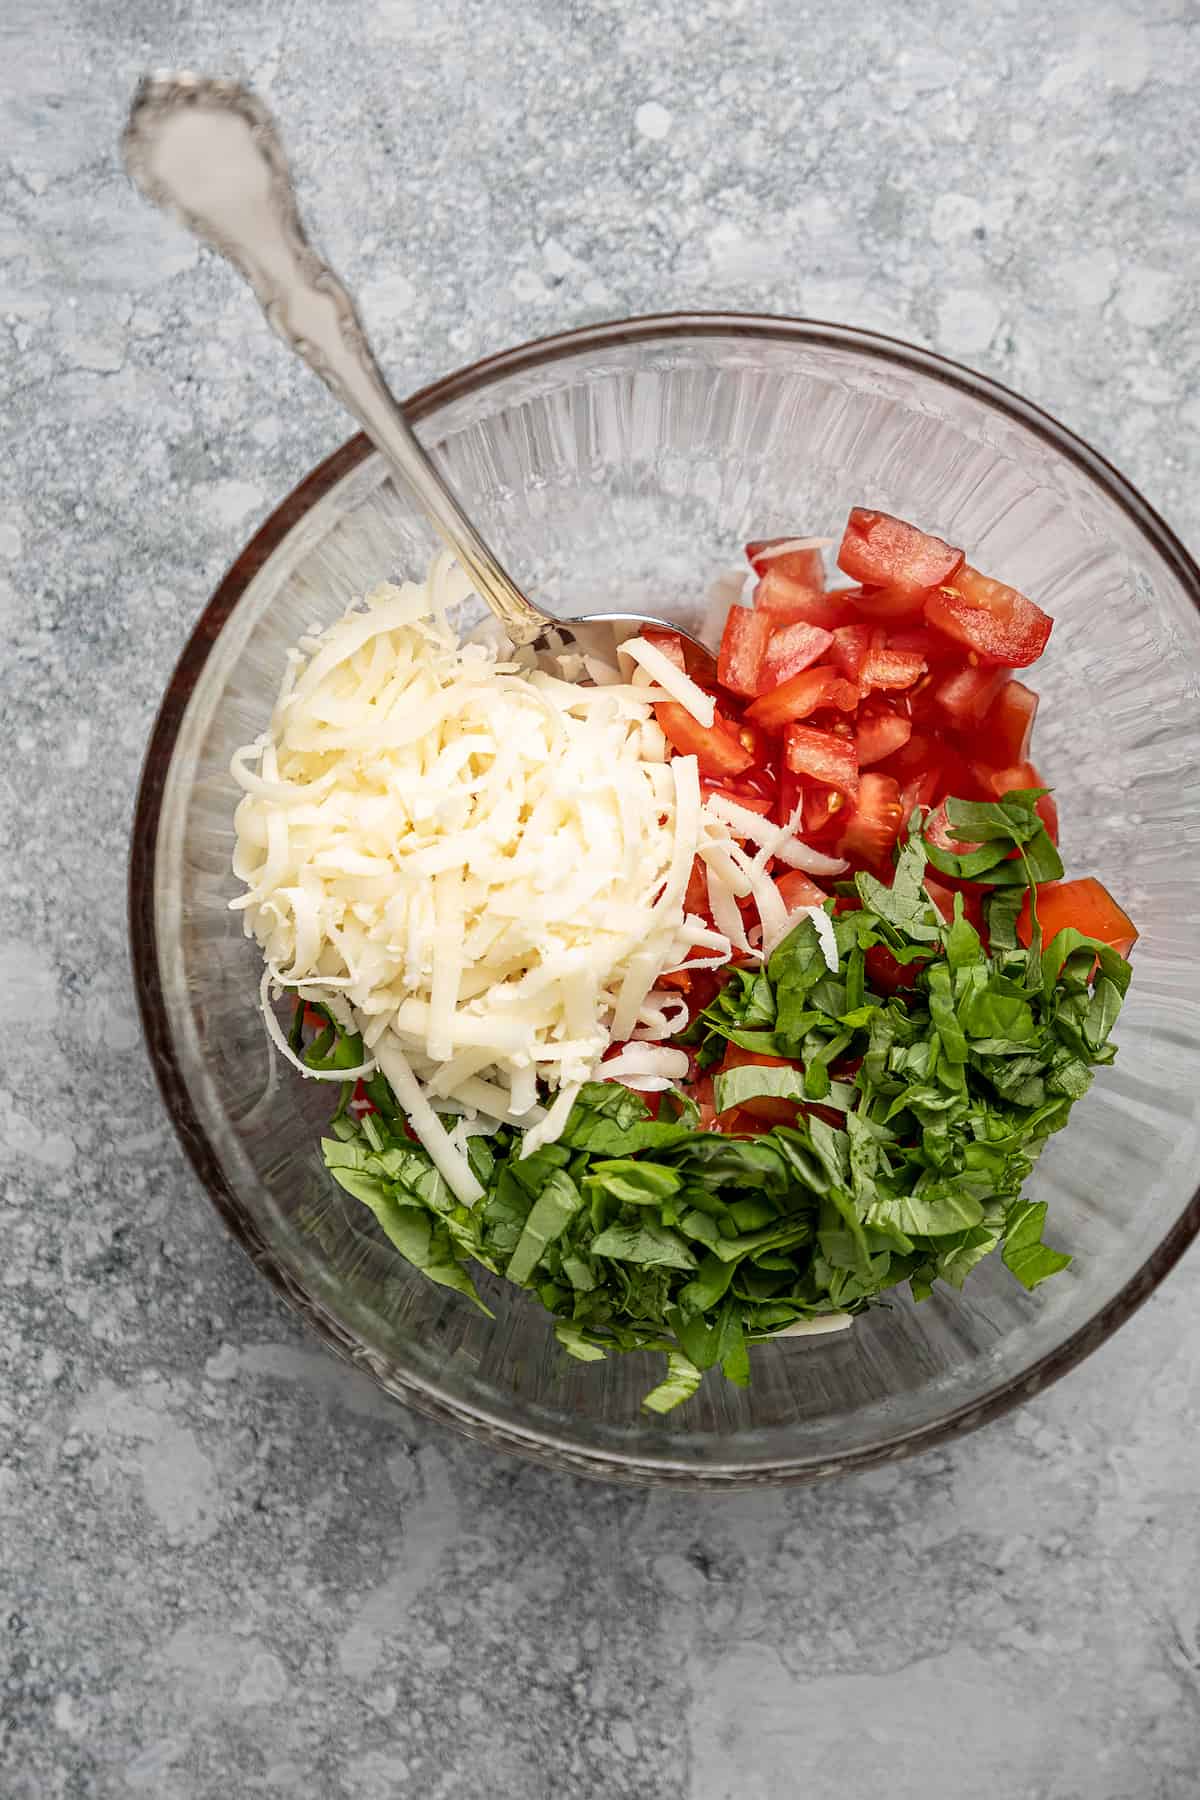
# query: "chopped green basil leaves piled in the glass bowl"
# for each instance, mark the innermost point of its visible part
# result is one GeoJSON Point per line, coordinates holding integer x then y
{"type": "Point", "coordinates": [650, 1234]}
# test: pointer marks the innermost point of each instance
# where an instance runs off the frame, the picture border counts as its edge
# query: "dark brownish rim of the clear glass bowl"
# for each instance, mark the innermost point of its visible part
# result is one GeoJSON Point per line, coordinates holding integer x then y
{"type": "Point", "coordinates": [476, 1423]}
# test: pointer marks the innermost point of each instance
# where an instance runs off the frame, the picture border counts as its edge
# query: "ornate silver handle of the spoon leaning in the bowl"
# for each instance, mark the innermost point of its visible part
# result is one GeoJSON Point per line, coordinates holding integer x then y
{"type": "Point", "coordinates": [210, 152]}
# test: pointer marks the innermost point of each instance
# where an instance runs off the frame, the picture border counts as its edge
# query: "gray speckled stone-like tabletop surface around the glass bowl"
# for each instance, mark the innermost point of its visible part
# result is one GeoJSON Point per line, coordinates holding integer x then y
{"type": "Point", "coordinates": [228, 1567]}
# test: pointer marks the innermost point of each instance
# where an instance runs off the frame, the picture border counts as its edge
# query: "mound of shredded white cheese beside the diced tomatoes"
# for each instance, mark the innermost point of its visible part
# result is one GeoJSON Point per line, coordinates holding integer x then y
{"type": "Point", "coordinates": [483, 867]}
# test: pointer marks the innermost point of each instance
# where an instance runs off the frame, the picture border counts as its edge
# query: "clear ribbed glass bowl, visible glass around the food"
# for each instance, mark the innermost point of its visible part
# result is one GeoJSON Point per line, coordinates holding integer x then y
{"type": "Point", "coordinates": [623, 467]}
